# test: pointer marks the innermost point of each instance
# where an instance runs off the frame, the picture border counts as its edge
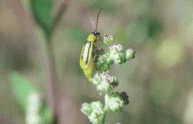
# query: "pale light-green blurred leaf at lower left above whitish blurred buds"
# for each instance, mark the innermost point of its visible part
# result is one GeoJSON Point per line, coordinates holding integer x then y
{"type": "Point", "coordinates": [22, 88]}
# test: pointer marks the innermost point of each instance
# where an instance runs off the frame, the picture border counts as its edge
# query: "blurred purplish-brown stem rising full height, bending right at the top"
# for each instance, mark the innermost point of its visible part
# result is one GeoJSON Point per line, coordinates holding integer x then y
{"type": "Point", "coordinates": [51, 65]}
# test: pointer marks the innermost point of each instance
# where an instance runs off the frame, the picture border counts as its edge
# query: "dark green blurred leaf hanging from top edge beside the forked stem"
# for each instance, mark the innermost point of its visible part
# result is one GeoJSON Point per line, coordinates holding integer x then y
{"type": "Point", "coordinates": [42, 12]}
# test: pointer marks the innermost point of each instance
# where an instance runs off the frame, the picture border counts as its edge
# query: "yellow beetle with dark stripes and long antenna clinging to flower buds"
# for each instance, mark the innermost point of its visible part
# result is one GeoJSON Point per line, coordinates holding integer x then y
{"type": "Point", "coordinates": [86, 56]}
